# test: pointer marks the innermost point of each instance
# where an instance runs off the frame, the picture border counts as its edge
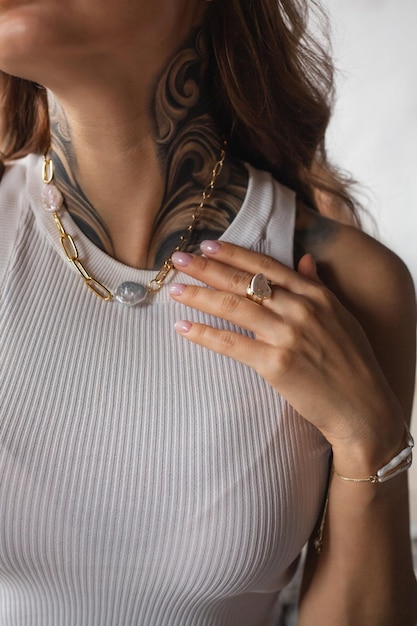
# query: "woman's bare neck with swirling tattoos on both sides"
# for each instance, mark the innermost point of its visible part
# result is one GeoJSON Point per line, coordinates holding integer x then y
{"type": "Point", "coordinates": [132, 163]}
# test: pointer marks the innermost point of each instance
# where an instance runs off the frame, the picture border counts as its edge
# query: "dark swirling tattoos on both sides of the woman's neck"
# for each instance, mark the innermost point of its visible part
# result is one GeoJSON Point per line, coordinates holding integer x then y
{"type": "Point", "coordinates": [188, 144]}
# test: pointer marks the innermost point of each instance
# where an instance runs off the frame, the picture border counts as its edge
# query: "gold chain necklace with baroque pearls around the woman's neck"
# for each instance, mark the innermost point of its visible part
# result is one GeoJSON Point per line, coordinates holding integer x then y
{"type": "Point", "coordinates": [128, 293]}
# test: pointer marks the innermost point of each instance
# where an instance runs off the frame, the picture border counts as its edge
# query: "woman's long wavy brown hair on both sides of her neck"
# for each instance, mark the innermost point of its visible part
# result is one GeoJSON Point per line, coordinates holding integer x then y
{"type": "Point", "coordinates": [272, 86]}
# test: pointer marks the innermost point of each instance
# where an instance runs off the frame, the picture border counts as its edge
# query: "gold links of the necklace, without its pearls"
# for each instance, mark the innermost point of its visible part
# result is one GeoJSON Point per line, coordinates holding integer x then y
{"type": "Point", "coordinates": [71, 252]}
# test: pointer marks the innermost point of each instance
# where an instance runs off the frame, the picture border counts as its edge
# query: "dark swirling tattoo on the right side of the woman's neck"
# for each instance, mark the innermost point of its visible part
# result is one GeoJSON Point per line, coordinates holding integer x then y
{"type": "Point", "coordinates": [188, 146]}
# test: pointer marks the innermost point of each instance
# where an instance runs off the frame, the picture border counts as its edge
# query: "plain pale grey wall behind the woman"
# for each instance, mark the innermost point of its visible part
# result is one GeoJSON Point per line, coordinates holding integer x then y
{"type": "Point", "coordinates": [374, 130]}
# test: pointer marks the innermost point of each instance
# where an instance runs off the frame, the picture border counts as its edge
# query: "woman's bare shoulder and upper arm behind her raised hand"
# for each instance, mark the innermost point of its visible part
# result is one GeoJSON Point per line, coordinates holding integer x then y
{"type": "Point", "coordinates": [374, 284]}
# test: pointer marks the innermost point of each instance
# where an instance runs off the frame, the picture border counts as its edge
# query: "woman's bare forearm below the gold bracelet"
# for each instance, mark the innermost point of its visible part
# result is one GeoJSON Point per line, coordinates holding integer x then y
{"type": "Point", "coordinates": [364, 574]}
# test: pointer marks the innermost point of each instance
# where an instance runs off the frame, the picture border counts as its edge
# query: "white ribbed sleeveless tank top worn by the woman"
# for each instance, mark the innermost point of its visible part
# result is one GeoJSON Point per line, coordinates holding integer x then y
{"type": "Point", "coordinates": [143, 480]}
